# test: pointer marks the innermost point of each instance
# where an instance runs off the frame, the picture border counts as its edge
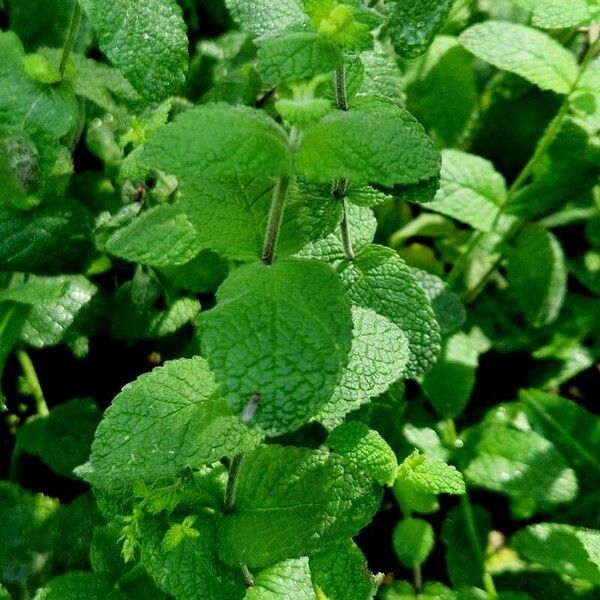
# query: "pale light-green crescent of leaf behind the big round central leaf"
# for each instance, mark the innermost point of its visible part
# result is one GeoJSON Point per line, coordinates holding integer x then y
{"type": "Point", "coordinates": [378, 357]}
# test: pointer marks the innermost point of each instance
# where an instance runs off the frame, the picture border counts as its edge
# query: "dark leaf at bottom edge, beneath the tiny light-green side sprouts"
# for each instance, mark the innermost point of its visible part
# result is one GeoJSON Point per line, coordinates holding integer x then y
{"type": "Point", "coordinates": [190, 568]}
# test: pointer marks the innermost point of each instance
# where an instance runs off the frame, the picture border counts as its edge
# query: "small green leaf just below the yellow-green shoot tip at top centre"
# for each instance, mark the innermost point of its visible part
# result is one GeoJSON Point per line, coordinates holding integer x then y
{"type": "Point", "coordinates": [297, 56]}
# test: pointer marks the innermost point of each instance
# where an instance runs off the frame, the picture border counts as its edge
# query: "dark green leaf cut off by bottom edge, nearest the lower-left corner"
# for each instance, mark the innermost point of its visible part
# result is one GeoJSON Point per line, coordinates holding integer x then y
{"type": "Point", "coordinates": [78, 585]}
